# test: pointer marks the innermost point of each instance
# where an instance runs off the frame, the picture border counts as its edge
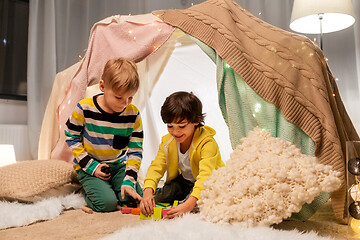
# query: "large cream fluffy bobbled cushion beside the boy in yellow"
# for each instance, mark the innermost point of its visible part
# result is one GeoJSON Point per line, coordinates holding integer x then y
{"type": "Point", "coordinates": [265, 180]}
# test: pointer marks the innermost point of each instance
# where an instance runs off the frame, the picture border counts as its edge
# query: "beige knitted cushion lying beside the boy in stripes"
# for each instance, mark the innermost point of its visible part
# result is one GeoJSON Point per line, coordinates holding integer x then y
{"type": "Point", "coordinates": [34, 180]}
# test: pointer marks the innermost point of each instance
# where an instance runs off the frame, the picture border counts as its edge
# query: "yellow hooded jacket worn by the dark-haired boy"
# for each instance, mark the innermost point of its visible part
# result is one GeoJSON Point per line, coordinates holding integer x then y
{"type": "Point", "coordinates": [204, 158]}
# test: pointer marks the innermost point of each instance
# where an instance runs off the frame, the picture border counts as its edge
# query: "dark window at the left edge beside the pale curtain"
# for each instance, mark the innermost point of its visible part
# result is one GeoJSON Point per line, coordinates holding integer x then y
{"type": "Point", "coordinates": [14, 21]}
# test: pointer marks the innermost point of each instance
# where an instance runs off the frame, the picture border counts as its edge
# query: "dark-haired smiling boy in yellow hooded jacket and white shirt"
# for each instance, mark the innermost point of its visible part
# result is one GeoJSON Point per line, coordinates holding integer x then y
{"type": "Point", "coordinates": [189, 154]}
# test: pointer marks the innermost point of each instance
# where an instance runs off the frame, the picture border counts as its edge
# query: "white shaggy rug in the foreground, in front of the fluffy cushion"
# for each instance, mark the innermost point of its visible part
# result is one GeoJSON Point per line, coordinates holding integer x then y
{"type": "Point", "coordinates": [192, 227]}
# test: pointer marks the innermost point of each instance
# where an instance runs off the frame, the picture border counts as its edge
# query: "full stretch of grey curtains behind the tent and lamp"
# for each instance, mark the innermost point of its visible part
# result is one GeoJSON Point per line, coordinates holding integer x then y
{"type": "Point", "coordinates": [59, 32]}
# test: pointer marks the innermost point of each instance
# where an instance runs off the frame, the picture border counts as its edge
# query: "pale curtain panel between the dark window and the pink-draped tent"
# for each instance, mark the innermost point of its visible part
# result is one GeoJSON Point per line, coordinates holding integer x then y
{"type": "Point", "coordinates": [41, 65]}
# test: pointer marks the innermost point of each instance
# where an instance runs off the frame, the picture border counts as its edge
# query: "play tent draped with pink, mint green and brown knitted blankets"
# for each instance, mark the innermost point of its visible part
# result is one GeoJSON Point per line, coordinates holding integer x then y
{"type": "Point", "coordinates": [264, 77]}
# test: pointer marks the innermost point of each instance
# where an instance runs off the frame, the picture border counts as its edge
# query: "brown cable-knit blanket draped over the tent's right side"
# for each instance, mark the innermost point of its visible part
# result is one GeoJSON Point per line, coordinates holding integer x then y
{"type": "Point", "coordinates": [285, 69]}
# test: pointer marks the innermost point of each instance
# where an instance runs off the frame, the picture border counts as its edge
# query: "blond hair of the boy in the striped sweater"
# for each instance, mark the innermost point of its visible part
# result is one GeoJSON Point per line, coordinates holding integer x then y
{"type": "Point", "coordinates": [121, 73]}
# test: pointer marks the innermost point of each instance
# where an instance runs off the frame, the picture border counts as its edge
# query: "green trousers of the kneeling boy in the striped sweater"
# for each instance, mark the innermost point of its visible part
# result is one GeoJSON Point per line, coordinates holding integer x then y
{"type": "Point", "coordinates": [104, 196]}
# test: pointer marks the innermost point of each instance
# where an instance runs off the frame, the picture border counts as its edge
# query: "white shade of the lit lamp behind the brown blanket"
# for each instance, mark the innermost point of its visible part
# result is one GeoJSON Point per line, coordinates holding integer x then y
{"type": "Point", "coordinates": [336, 15]}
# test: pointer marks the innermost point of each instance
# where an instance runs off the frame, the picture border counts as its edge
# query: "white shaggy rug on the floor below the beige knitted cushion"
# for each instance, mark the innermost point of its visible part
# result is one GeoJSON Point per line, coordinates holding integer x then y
{"type": "Point", "coordinates": [15, 214]}
